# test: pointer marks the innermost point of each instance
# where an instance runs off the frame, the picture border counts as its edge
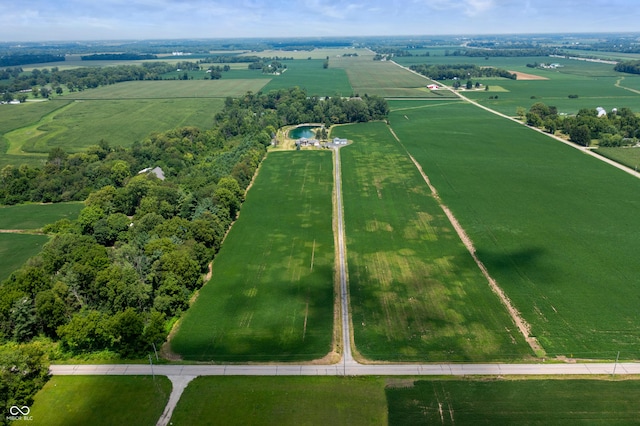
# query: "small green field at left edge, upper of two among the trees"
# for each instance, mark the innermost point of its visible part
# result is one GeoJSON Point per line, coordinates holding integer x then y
{"type": "Point", "coordinates": [35, 216]}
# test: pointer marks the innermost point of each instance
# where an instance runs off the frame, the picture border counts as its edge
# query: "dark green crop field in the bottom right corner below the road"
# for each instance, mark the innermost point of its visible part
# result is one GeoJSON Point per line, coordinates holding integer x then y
{"type": "Point", "coordinates": [498, 402]}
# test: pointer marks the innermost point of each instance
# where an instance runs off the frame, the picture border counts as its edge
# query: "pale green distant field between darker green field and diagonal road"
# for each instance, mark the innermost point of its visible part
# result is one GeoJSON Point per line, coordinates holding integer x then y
{"type": "Point", "coordinates": [383, 78]}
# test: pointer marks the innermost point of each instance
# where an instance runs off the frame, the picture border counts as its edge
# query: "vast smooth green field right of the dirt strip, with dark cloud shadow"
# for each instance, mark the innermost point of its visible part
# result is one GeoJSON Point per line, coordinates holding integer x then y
{"type": "Point", "coordinates": [556, 228]}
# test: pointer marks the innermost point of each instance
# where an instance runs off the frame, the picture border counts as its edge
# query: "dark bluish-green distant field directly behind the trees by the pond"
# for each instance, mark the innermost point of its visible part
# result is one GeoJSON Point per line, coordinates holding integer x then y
{"type": "Point", "coordinates": [311, 76]}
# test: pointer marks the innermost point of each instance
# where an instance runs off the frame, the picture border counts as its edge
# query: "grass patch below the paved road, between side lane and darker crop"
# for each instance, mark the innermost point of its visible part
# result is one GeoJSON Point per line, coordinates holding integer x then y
{"type": "Point", "coordinates": [282, 401]}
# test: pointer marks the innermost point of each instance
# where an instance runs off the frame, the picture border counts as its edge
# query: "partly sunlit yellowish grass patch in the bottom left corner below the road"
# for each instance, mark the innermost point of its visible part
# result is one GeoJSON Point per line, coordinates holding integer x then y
{"type": "Point", "coordinates": [100, 400]}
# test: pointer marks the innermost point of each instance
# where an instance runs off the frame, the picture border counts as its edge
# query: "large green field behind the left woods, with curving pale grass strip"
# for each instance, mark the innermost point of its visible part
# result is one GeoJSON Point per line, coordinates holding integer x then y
{"type": "Point", "coordinates": [78, 125]}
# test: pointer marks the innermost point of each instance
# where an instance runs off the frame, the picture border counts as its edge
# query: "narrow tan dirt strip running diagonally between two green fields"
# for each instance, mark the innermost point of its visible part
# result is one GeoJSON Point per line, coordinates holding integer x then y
{"type": "Point", "coordinates": [522, 325]}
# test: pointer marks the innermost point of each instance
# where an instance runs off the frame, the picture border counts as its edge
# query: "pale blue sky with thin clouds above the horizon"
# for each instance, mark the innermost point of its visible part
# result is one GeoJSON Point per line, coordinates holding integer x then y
{"type": "Point", "coordinates": [36, 20]}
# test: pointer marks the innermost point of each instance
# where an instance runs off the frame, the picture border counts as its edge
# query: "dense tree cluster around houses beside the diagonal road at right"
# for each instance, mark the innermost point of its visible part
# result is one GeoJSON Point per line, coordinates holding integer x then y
{"type": "Point", "coordinates": [617, 128]}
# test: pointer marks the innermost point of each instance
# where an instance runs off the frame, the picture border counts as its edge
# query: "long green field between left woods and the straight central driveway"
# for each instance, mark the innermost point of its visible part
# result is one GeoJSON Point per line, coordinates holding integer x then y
{"type": "Point", "coordinates": [271, 294]}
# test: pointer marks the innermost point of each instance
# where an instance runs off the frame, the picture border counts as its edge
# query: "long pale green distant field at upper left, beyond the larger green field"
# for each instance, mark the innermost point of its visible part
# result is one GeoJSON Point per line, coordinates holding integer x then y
{"type": "Point", "coordinates": [163, 89]}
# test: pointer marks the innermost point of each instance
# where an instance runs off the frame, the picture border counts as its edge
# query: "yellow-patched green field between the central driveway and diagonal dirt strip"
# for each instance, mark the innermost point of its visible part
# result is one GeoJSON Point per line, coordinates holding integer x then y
{"type": "Point", "coordinates": [416, 293]}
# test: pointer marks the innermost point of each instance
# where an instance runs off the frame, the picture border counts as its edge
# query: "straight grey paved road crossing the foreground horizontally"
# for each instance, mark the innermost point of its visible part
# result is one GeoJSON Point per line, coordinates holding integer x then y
{"type": "Point", "coordinates": [354, 369]}
